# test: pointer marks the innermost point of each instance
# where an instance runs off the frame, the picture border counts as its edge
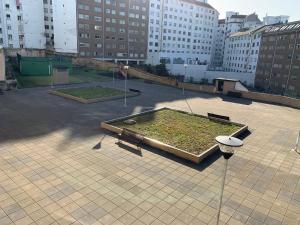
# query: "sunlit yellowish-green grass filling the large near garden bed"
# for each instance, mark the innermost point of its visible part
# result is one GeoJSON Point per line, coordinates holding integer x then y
{"type": "Point", "coordinates": [191, 133]}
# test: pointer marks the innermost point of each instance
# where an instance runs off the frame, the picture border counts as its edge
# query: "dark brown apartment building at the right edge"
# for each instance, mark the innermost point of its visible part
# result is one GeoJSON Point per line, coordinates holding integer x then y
{"type": "Point", "coordinates": [278, 69]}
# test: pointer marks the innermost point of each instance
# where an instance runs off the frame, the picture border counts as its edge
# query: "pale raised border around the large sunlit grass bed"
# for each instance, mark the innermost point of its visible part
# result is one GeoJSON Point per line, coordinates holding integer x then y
{"type": "Point", "coordinates": [108, 125]}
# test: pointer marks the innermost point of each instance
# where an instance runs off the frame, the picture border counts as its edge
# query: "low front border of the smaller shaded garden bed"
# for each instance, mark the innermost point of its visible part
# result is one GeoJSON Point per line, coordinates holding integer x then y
{"type": "Point", "coordinates": [94, 100]}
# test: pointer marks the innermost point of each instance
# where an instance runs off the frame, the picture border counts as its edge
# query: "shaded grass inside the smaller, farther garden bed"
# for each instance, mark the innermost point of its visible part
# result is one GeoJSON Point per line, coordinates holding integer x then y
{"type": "Point", "coordinates": [91, 92]}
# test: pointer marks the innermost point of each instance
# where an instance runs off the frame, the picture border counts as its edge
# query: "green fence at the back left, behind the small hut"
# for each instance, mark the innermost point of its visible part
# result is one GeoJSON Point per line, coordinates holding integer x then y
{"type": "Point", "coordinates": [41, 66]}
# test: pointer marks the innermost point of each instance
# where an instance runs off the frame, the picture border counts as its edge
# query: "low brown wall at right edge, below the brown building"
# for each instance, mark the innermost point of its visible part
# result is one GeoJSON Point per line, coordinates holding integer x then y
{"type": "Point", "coordinates": [269, 98]}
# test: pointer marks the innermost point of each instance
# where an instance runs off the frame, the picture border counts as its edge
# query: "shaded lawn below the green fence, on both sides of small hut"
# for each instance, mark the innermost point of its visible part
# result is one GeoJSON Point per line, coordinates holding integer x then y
{"type": "Point", "coordinates": [77, 76]}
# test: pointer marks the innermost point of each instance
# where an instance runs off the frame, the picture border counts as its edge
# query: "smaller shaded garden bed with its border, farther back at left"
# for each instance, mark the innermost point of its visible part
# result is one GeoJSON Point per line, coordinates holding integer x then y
{"type": "Point", "coordinates": [91, 94]}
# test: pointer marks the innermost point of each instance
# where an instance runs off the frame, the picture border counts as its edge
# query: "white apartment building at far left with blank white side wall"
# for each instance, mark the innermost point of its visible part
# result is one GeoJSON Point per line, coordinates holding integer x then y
{"type": "Point", "coordinates": [30, 24]}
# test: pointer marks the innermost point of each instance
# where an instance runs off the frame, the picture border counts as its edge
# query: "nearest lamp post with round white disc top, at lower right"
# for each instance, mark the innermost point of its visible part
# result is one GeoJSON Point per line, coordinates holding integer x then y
{"type": "Point", "coordinates": [227, 145]}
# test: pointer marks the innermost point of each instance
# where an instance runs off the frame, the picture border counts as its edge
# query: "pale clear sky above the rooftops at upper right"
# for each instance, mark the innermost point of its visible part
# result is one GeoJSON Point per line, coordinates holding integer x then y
{"type": "Point", "coordinates": [261, 7]}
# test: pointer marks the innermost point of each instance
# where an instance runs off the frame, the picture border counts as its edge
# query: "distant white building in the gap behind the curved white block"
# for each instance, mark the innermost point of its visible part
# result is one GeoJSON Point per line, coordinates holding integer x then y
{"type": "Point", "coordinates": [233, 23]}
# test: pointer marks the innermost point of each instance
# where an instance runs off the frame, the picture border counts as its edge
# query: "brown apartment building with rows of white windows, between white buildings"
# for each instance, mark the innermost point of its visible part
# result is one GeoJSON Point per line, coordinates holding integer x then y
{"type": "Point", "coordinates": [113, 30]}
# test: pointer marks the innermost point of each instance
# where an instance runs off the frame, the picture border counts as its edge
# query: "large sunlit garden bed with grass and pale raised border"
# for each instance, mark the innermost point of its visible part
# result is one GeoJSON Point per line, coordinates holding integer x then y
{"type": "Point", "coordinates": [187, 135]}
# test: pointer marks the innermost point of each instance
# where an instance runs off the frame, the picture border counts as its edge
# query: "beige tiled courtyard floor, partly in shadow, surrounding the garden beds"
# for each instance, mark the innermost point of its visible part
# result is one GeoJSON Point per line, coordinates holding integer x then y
{"type": "Point", "coordinates": [58, 167]}
